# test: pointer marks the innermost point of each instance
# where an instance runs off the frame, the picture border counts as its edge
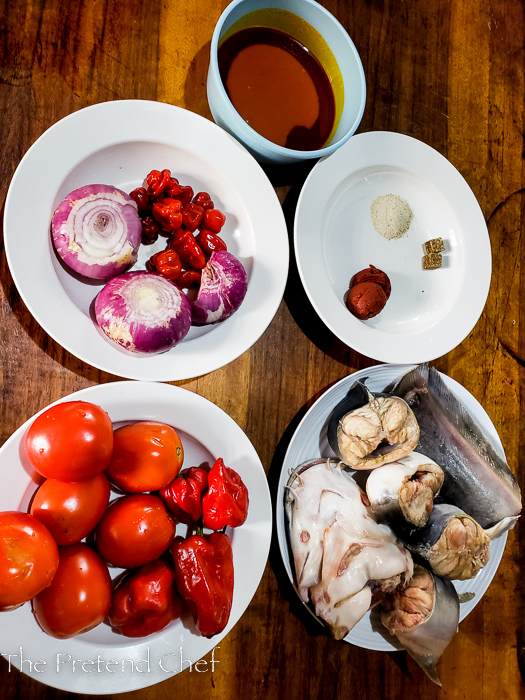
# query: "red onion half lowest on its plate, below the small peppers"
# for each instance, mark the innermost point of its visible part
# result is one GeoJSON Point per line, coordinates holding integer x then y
{"type": "Point", "coordinates": [143, 312]}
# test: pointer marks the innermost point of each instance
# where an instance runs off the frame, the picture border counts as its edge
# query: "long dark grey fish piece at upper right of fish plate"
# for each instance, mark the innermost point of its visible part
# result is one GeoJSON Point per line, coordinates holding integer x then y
{"type": "Point", "coordinates": [477, 479]}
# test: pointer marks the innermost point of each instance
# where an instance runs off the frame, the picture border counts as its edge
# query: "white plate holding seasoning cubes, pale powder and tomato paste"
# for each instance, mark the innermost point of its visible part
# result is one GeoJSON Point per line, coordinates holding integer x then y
{"type": "Point", "coordinates": [429, 311]}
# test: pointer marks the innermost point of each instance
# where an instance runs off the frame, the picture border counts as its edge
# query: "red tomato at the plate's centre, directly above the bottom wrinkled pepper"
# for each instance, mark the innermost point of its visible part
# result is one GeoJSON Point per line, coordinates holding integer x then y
{"type": "Point", "coordinates": [134, 530]}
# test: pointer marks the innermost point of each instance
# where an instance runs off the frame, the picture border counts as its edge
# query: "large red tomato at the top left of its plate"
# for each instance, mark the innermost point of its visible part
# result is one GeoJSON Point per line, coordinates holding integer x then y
{"type": "Point", "coordinates": [70, 441]}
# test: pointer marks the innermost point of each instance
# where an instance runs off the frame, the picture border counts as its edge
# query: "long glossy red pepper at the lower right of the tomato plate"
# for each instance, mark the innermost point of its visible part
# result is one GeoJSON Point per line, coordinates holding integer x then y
{"type": "Point", "coordinates": [204, 576]}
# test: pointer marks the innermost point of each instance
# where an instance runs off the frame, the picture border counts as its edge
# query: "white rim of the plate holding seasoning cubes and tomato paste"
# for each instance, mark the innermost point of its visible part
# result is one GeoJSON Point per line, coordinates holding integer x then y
{"type": "Point", "coordinates": [396, 149]}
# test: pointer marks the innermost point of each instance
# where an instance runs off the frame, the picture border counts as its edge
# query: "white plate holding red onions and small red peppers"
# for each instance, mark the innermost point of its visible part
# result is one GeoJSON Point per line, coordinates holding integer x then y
{"type": "Point", "coordinates": [118, 143]}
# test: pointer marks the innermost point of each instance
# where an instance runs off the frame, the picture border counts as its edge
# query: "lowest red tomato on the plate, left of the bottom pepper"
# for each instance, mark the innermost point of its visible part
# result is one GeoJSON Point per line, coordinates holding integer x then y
{"type": "Point", "coordinates": [79, 597]}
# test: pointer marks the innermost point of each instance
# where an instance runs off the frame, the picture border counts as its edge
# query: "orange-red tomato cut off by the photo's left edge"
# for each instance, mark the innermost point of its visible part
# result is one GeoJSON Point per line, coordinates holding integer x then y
{"type": "Point", "coordinates": [28, 558]}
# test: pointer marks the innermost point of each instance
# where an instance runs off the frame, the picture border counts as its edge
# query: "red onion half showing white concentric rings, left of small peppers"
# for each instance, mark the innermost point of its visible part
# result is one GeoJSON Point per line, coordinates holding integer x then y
{"type": "Point", "coordinates": [97, 231]}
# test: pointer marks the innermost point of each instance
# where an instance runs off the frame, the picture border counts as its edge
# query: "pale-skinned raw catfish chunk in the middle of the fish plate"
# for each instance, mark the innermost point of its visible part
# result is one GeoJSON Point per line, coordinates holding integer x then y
{"type": "Point", "coordinates": [405, 489]}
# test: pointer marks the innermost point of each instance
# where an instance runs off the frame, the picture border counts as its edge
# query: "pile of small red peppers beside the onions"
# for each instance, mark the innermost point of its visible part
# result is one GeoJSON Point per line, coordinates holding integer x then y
{"type": "Point", "coordinates": [188, 220]}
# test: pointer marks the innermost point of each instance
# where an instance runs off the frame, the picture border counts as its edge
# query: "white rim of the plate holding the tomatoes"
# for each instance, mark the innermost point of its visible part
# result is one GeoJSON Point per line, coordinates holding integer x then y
{"type": "Point", "coordinates": [162, 642]}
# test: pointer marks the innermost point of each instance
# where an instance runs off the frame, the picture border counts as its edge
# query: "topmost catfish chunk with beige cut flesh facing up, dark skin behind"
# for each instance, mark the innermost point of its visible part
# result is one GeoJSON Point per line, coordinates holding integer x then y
{"type": "Point", "coordinates": [366, 430]}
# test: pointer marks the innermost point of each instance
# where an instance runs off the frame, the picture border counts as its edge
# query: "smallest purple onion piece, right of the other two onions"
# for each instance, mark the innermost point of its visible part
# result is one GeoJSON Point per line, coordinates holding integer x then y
{"type": "Point", "coordinates": [223, 288]}
